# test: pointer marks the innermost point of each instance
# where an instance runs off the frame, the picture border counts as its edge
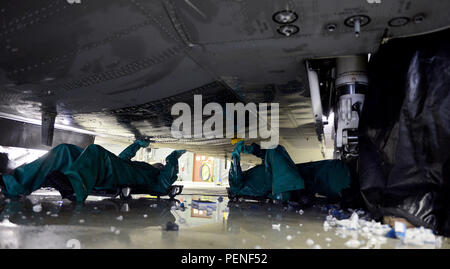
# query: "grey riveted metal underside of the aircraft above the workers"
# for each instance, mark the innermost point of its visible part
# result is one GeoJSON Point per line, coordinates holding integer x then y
{"type": "Point", "coordinates": [116, 67]}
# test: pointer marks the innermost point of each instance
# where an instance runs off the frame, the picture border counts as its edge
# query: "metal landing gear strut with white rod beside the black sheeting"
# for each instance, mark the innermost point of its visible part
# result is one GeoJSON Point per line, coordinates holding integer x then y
{"type": "Point", "coordinates": [338, 87]}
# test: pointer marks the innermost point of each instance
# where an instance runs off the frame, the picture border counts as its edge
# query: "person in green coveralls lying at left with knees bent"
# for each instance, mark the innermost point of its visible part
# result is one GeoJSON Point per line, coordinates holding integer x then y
{"type": "Point", "coordinates": [75, 172]}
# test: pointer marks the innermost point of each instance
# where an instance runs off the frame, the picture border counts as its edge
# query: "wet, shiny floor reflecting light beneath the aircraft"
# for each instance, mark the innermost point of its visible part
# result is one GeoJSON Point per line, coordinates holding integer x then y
{"type": "Point", "coordinates": [191, 221]}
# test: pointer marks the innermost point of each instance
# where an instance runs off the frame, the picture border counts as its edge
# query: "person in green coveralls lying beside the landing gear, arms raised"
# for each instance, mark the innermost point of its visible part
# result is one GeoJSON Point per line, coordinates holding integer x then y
{"type": "Point", "coordinates": [279, 178]}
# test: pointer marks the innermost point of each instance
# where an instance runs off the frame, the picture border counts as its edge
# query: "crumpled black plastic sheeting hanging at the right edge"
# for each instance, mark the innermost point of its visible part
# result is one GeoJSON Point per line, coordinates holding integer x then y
{"type": "Point", "coordinates": [405, 131]}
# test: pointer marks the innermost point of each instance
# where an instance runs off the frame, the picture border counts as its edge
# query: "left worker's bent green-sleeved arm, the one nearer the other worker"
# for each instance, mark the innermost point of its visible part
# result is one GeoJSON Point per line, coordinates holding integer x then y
{"type": "Point", "coordinates": [169, 173]}
